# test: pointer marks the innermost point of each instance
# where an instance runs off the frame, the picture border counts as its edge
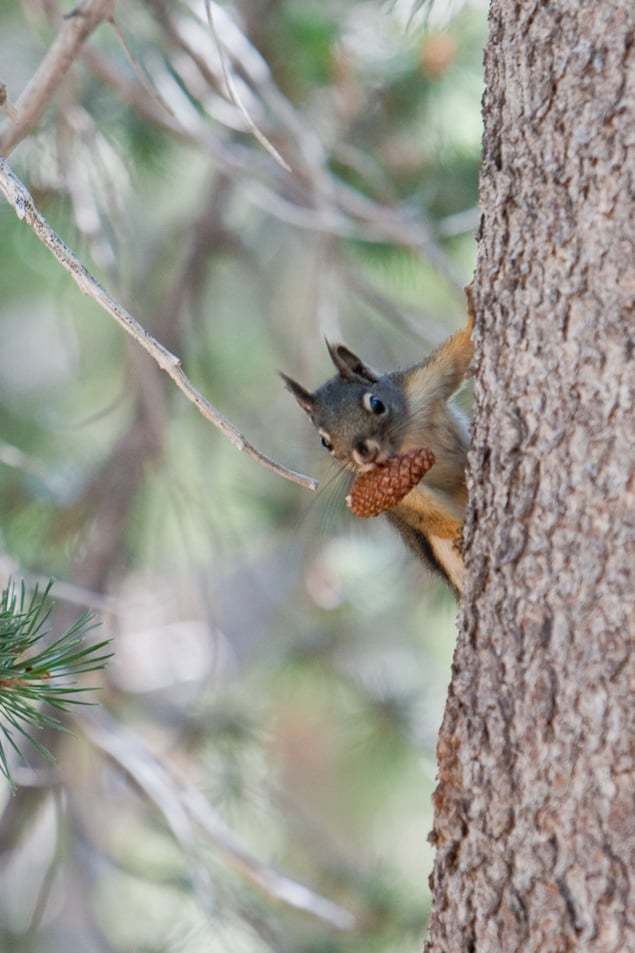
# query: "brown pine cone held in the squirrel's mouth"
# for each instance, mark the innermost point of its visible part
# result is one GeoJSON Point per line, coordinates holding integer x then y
{"type": "Point", "coordinates": [380, 489]}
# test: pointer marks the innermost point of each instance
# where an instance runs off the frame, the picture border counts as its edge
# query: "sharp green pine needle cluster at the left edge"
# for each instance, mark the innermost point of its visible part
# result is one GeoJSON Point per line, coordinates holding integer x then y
{"type": "Point", "coordinates": [36, 671]}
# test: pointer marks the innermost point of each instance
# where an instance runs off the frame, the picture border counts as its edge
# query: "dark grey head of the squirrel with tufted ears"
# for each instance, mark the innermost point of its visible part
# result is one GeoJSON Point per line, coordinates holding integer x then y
{"type": "Point", "coordinates": [358, 413]}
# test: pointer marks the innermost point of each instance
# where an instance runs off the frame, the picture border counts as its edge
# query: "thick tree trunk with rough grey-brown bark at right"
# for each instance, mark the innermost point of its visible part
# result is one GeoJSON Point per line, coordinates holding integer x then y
{"type": "Point", "coordinates": [535, 812]}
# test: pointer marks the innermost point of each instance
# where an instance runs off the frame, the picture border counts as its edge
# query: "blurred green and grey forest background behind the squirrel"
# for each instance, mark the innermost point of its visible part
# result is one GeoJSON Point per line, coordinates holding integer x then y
{"type": "Point", "coordinates": [257, 773]}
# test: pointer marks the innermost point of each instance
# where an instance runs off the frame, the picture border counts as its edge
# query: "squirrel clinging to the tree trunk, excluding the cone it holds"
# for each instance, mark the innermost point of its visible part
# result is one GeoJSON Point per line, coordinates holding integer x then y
{"type": "Point", "coordinates": [365, 418]}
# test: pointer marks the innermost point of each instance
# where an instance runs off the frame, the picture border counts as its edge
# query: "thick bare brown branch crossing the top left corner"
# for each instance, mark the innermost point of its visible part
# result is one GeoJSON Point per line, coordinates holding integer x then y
{"type": "Point", "coordinates": [77, 26]}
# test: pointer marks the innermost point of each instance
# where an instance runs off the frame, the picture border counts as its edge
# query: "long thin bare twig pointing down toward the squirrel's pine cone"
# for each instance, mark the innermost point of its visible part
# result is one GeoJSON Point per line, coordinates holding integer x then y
{"type": "Point", "coordinates": [18, 196]}
